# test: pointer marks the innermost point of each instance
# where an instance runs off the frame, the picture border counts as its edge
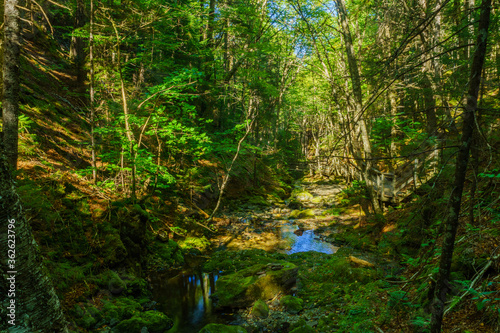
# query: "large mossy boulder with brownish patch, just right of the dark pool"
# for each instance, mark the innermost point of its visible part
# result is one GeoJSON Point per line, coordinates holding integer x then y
{"type": "Point", "coordinates": [259, 281]}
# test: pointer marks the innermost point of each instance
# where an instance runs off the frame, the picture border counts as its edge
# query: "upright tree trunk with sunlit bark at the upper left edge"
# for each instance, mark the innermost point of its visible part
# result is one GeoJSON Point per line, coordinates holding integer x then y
{"type": "Point", "coordinates": [10, 105]}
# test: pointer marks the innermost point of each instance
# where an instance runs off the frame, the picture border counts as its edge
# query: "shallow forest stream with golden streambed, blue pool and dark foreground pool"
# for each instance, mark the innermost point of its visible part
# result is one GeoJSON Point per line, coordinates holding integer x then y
{"type": "Point", "coordinates": [185, 296]}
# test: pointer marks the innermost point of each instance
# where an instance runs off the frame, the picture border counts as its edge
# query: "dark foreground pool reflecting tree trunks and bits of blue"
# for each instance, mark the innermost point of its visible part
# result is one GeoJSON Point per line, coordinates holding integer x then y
{"type": "Point", "coordinates": [186, 298]}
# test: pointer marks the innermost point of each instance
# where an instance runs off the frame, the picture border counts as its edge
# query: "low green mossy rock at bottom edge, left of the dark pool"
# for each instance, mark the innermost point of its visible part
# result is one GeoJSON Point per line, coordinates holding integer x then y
{"type": "Point", "coordinates": [155, 321]}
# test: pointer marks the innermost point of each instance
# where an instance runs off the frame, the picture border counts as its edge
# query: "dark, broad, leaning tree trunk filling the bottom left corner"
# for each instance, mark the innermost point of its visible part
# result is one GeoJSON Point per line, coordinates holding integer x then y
{"type": "Point", "coordinates": [32, 299]}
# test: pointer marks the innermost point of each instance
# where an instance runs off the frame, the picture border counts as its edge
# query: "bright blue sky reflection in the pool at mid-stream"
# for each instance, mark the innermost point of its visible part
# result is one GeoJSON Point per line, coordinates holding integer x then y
{"type": "Point", "coordinates": [304, 240]}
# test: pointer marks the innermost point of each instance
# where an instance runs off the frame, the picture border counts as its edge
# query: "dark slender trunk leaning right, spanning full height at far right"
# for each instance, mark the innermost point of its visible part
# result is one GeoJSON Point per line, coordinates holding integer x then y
{"type": "Point", "coordinates": [460, 170]}
